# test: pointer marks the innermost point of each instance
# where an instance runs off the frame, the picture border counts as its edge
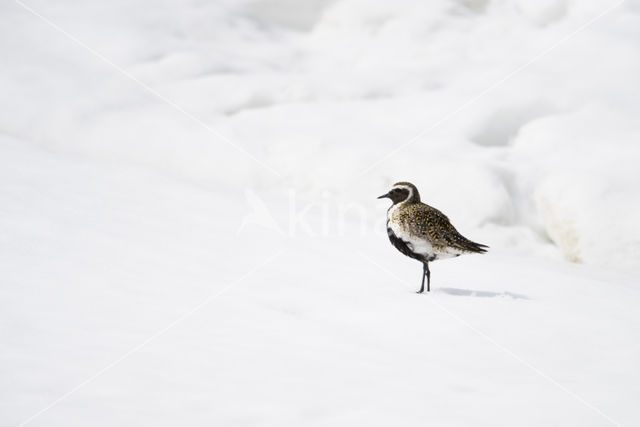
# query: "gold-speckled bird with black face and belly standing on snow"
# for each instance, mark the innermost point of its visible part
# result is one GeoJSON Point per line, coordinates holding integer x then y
{"type": "Point", "coordinates": [422, 232]}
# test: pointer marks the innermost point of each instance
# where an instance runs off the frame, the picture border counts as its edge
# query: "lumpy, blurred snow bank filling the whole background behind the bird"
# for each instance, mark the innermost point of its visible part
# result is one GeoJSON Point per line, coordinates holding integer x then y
{"type": "Point", "coordinates": [321, 91]}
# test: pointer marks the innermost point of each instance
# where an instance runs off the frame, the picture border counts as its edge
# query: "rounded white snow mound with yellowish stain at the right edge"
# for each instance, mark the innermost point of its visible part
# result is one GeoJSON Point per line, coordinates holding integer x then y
{"type": "Point", "coordinates": [584, 189]}
